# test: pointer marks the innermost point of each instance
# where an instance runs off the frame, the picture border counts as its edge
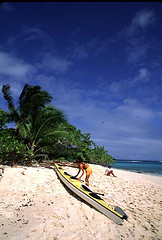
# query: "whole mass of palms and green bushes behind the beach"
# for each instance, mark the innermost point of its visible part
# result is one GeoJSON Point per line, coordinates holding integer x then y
{"type": "Point", "coordinates": [42, 130]}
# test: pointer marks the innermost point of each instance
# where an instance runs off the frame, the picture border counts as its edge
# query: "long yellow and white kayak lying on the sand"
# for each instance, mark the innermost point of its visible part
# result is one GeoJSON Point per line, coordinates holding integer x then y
{"type": "Point", "coordinates": [83, 191]}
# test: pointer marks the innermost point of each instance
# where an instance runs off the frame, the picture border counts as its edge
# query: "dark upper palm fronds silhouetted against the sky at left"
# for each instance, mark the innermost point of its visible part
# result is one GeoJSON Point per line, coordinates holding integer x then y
{"type": "Point", "coordinates": [31, 100]}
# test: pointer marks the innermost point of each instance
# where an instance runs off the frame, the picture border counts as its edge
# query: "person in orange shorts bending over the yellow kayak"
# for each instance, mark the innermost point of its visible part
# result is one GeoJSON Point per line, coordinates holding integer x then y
{"type": "Point", "coordinates": [83, 166]}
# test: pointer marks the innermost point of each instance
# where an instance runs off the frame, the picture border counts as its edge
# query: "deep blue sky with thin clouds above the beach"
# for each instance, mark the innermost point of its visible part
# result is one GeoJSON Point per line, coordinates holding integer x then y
{"type": "Point", "coordinates": [101, 62]}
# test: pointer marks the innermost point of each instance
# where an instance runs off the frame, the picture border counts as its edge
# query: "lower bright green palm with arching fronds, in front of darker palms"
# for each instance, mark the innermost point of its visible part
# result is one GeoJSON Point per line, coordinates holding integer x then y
{"type": "Point", "coordinates": [45, 131]}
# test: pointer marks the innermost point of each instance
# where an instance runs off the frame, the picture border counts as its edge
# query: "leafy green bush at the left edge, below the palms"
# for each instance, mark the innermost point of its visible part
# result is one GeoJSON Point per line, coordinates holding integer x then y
{"type": "Point", "coordinates": [12, 148]}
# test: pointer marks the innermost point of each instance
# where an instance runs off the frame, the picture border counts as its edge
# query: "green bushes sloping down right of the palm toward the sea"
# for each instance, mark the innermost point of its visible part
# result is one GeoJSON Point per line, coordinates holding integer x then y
{"type": "Point", "coordinates": [76, 144]}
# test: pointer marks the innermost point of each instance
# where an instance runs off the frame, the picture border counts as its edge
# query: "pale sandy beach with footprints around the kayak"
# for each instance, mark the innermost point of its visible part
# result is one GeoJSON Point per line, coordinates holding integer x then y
{"type": "Point", "coordinates": [35, 205]}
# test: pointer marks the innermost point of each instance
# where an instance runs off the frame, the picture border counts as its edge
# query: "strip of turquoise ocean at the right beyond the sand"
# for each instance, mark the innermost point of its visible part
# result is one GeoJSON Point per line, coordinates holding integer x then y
{"type": "Point", "coordinates": [140, 166]}
